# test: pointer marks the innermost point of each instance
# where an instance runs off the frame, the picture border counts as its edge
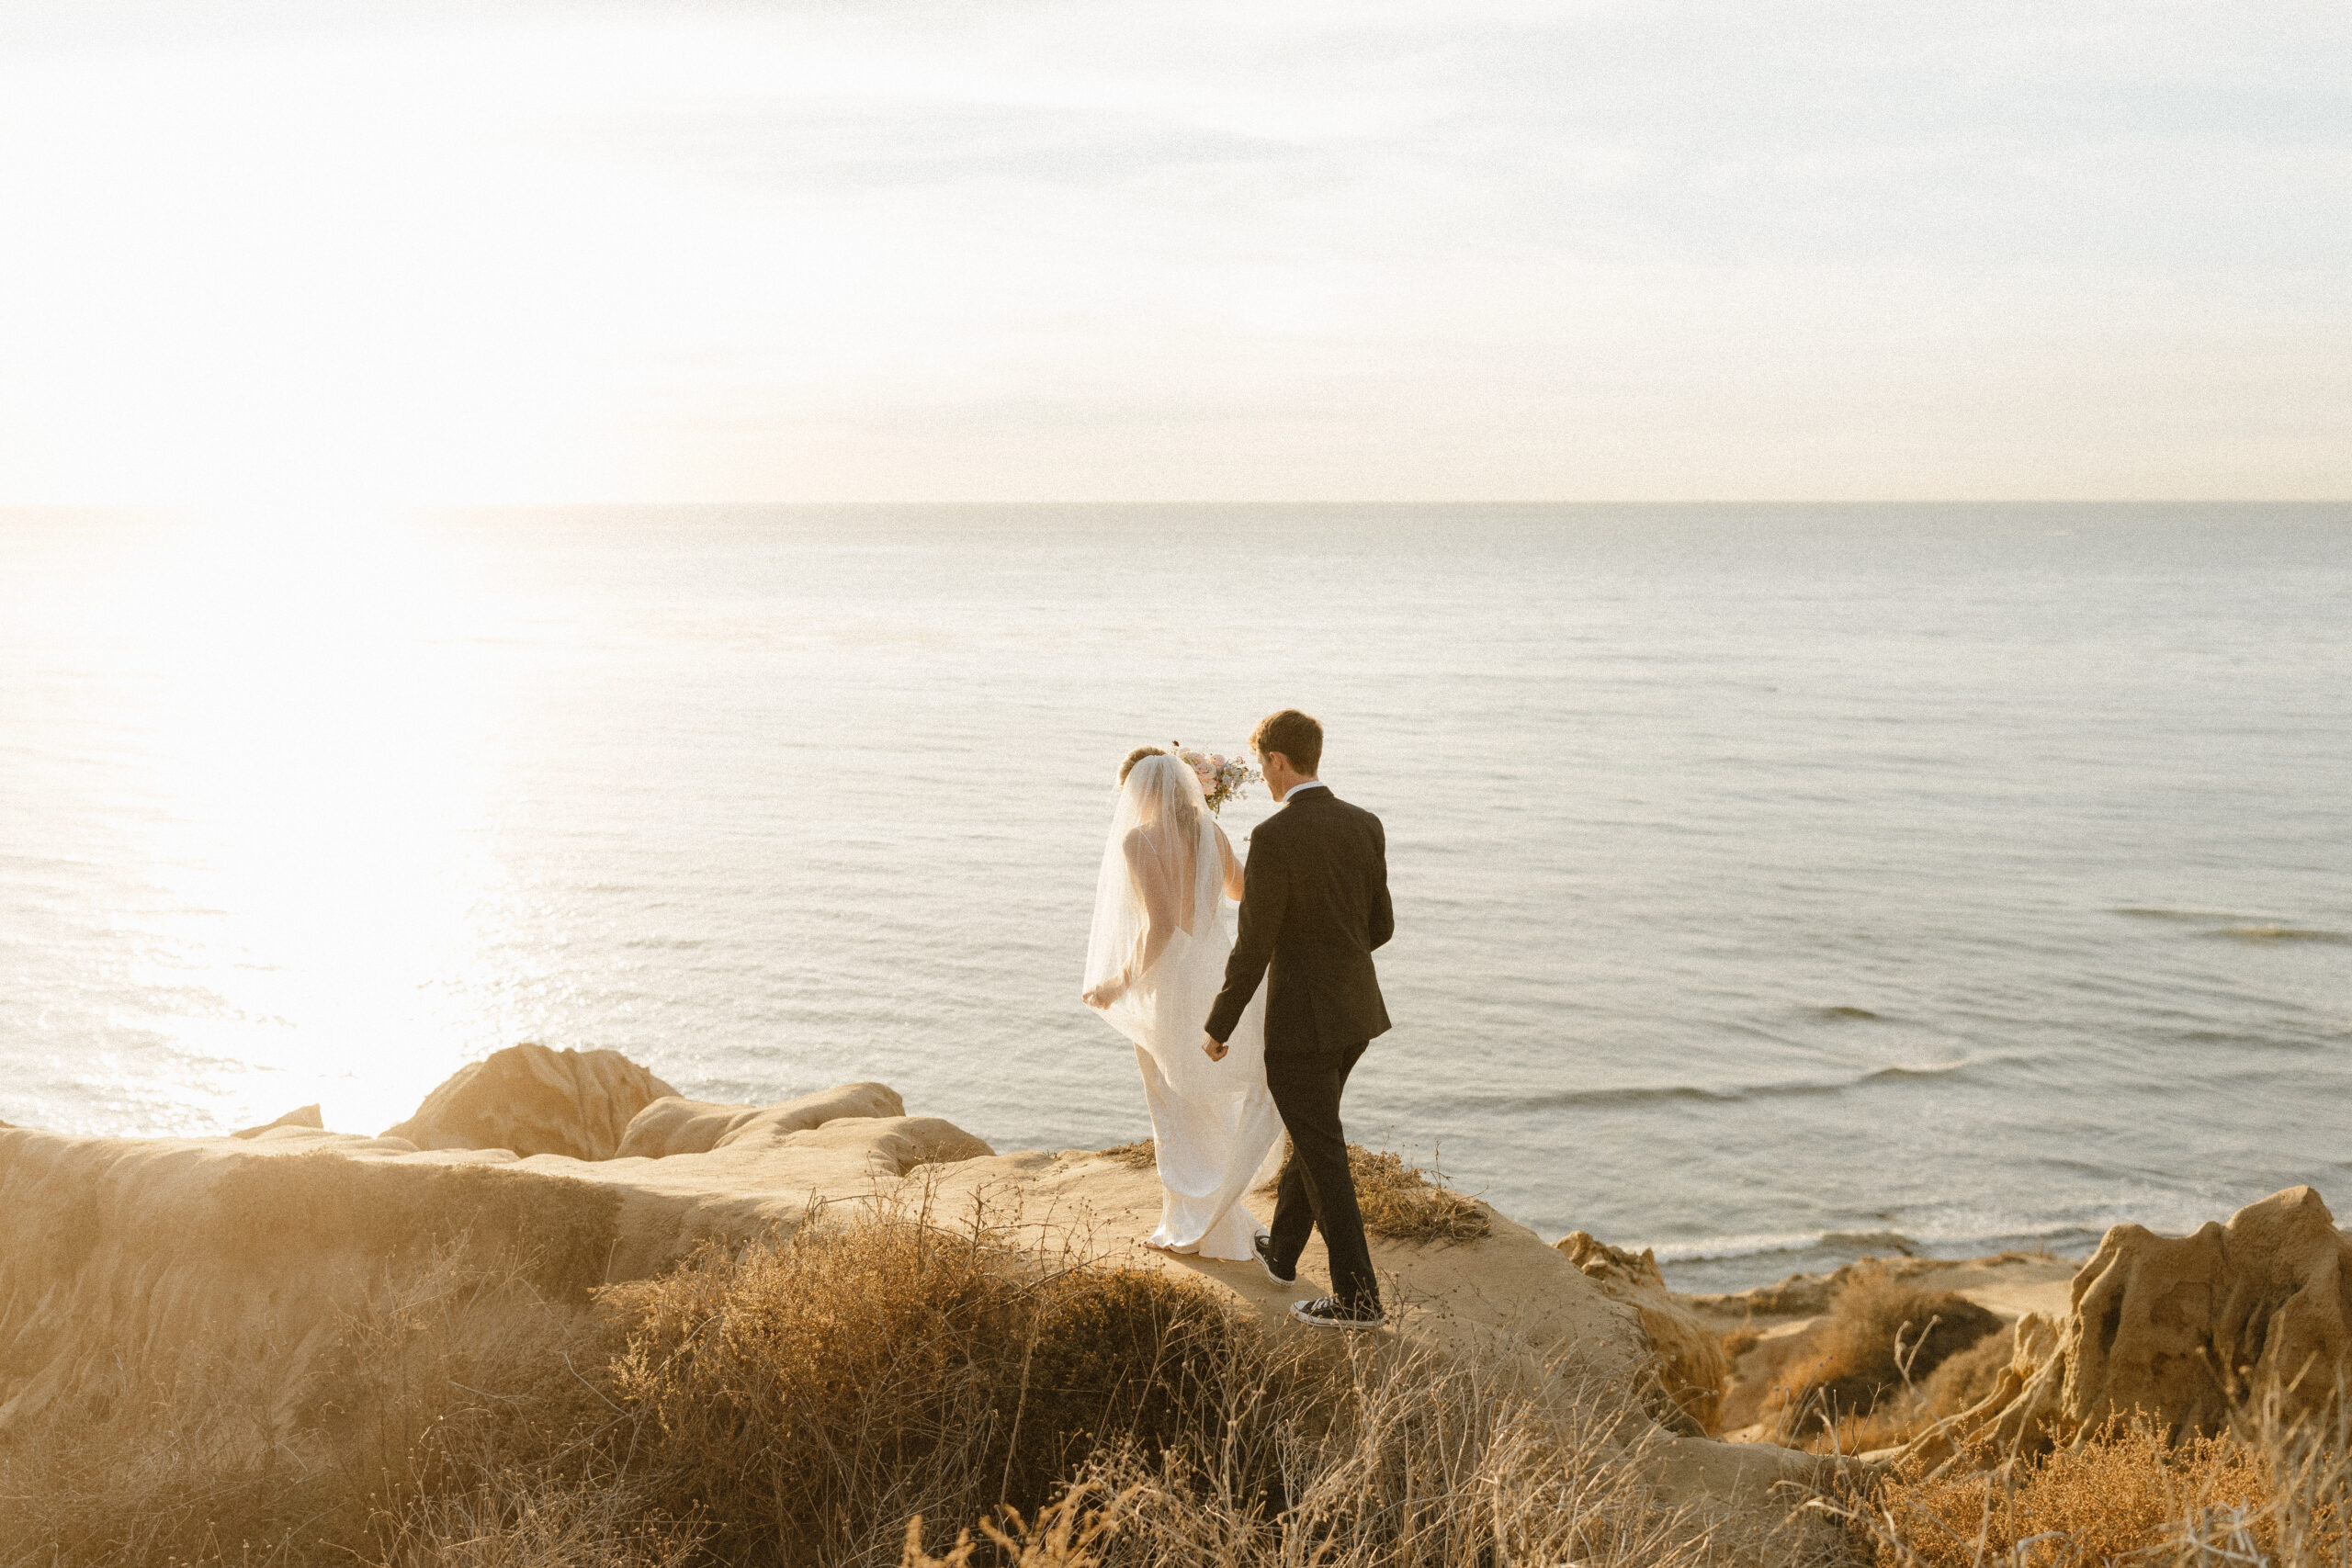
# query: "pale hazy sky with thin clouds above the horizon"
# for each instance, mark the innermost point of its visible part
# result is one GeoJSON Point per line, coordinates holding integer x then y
{"type": "Point", "coordinates": [507, 253]}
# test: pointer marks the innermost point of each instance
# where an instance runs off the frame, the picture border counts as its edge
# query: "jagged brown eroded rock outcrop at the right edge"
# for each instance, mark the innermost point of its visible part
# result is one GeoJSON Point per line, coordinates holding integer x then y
{"type": "Point", "coordinates": [2189, 1329]}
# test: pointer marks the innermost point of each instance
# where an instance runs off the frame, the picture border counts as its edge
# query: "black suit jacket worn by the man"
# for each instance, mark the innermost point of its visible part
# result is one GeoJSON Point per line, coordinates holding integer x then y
{"type": "Point", "coordinates": [1314, 909]}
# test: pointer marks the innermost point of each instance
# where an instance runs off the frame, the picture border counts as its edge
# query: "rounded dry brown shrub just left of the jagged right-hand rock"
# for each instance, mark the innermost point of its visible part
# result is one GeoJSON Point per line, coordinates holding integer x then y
{"type": "Point", "coordinates": [1883, 1336]}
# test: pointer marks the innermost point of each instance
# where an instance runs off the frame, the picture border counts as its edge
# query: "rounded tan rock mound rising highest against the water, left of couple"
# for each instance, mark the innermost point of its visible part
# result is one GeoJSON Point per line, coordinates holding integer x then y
{"type": "Point", "coordinates": [537, 1101]}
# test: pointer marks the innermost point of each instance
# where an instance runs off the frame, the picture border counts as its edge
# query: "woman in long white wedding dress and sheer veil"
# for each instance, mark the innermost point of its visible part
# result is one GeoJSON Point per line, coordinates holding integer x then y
{"type": "Point", "coordinates": [1154, 970]}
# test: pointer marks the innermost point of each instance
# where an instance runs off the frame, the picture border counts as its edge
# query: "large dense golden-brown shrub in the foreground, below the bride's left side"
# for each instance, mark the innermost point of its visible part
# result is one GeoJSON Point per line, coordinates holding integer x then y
{"type": "Point", "coordinates": [874, 1367]}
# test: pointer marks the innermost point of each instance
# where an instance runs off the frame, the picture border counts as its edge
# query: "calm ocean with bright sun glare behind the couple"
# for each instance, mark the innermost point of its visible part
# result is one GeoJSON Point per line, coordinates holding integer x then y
{"type": "Point", "coordinates": [1775, 883]}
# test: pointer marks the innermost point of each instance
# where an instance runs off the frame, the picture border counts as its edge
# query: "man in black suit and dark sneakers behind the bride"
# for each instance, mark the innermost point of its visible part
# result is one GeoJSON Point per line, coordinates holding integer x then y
{"type": "Point", "coordinates": [1314, 909]}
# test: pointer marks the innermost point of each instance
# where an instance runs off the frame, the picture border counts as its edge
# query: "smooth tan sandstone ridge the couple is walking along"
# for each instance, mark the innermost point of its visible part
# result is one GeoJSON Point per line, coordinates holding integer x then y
{"type": "Point", "coordinates": [262, 1245]}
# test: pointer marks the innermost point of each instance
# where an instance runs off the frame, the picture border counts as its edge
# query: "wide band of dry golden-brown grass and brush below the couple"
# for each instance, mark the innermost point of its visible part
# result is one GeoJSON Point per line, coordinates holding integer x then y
{"type": "Point", "coordinates": [801, 1402]}
